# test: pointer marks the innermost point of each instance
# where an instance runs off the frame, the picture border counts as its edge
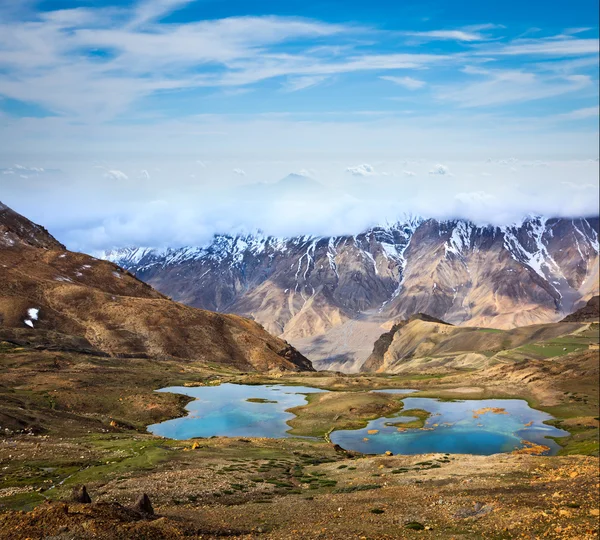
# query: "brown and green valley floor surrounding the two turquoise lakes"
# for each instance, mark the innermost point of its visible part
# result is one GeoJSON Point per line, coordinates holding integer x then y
{"type": "Point", "coordinates": [70, 419]}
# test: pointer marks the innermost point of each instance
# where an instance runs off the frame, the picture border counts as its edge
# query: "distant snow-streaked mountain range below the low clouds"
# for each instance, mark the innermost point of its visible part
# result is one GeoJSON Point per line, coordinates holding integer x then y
{"type": "Point", "coordinates": [316, 291]}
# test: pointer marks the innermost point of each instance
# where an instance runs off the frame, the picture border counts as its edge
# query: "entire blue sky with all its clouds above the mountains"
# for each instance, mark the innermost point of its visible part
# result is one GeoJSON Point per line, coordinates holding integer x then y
{"type": "Point", "coordinates": [162, 122]}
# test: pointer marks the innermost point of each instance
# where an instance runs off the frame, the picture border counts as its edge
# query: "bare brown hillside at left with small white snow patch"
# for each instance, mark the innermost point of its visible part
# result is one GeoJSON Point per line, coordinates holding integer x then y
{"type": "Point", "coordinates": [54, 298]}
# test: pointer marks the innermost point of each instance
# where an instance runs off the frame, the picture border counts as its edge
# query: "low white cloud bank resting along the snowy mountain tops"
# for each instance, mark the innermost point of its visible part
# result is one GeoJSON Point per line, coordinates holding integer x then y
{"type": "Point", "coordinates": [169, 208]}
